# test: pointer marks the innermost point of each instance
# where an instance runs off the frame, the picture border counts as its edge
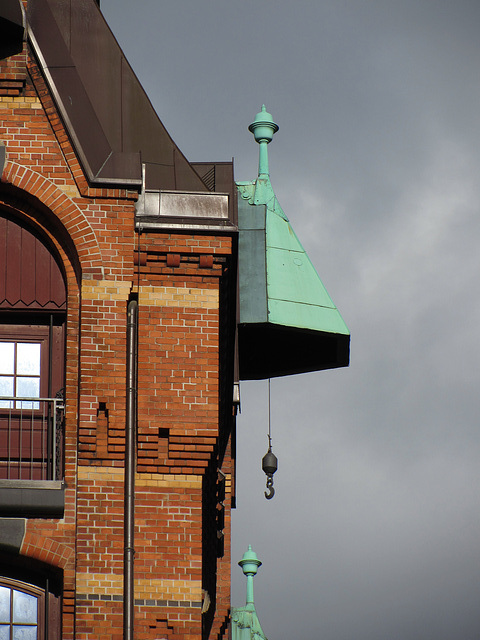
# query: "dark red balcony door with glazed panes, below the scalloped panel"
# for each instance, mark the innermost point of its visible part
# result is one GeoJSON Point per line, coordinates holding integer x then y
{"type": "Point", "coordinates": [31, 366]}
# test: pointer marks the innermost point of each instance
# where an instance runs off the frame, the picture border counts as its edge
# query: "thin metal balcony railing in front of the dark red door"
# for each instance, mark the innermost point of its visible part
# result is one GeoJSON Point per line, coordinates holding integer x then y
{"type": "Point", "coordinates": [31, 438]}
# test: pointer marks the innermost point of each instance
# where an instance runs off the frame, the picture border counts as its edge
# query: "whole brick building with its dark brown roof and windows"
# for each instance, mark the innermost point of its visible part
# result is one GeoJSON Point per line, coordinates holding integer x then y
{"type": "Point", "coordinates": [118, 347]}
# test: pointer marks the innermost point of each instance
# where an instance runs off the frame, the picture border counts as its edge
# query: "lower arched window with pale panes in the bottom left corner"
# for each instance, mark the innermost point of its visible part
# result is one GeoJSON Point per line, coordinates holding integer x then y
{"type": "Point", "coordinates": [19, 611]}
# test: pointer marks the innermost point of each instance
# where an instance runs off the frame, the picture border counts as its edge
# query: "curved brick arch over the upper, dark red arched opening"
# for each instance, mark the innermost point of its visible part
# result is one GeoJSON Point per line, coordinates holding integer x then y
{"type": "Point", "coordinates": [64, 209]}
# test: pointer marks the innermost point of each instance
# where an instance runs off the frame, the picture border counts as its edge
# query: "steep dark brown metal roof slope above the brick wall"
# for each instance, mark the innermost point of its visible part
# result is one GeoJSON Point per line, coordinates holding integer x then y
{"type": "Point", "coordinates": [109, 117]}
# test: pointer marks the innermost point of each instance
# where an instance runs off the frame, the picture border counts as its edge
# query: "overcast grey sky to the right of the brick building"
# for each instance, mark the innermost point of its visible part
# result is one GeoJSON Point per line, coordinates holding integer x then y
{"type": "Point", "coordinates": [374, 531]}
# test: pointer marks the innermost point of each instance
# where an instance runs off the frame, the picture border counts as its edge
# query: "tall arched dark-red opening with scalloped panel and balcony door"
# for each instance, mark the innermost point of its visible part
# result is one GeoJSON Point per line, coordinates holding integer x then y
{"type": "Point", "coordinates": [32, 335]}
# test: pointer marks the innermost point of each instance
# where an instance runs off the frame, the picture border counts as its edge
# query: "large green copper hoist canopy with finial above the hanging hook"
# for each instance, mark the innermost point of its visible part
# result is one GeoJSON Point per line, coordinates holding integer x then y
{"type": "Point", "coordinates": [288, 322]}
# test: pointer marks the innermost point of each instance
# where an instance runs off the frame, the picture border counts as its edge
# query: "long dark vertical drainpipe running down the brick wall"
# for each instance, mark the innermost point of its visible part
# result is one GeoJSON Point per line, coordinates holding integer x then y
{"type": "Point", "coordinates": [130, 460]}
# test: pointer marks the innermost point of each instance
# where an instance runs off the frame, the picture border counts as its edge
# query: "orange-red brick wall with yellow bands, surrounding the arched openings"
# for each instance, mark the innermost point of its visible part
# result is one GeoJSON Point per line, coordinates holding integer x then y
{"type": "Point", "coordinates": [182, 430]}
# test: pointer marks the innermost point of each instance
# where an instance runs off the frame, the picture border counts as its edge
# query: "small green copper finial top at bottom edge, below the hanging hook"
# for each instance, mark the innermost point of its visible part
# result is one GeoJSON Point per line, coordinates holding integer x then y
{"type": "Point", "coordinates": [245, 623]}
